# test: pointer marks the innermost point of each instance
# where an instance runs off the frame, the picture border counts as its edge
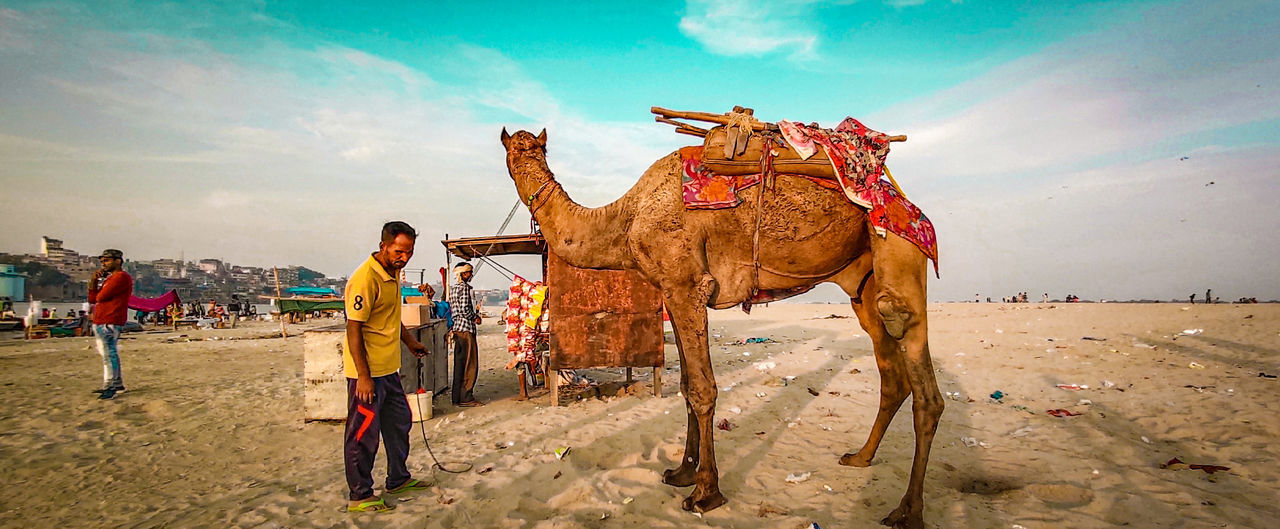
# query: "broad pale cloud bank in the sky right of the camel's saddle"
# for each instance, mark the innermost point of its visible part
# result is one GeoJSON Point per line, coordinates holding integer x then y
{"type": "Point", "coordinates": [1060, 172]}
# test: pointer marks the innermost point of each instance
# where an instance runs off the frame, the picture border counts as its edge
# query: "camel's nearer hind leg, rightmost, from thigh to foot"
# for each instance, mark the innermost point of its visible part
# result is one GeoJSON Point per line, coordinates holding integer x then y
{"type": "Point", "coordinates": [902, 272]}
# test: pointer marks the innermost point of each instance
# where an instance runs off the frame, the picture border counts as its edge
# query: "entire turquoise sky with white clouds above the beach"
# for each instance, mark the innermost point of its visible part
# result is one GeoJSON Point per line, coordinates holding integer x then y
{"type": "Point", "coordinates": [1107, 149]}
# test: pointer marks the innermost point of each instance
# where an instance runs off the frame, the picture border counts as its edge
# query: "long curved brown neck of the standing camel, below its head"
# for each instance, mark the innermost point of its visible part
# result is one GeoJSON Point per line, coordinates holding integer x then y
{"type": "Point", "coordinates": [584, 238]}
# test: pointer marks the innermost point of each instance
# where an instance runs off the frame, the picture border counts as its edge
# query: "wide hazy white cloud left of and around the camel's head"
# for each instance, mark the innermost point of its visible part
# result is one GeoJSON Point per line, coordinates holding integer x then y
{"type": "Point", "coordinates": [182, 148]}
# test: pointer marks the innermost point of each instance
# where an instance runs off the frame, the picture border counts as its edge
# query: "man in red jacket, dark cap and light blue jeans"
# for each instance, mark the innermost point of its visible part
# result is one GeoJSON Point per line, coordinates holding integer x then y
{"type": "Point", "coordinates": [109, 298]}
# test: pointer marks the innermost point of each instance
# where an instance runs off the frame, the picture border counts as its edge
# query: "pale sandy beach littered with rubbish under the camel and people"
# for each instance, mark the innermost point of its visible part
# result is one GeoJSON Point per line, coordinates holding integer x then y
{"type": "Point", "coordinates": [211, 434]}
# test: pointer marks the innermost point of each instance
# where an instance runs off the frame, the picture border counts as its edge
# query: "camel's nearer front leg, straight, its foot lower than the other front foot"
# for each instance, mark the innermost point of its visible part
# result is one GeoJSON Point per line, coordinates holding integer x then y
{"type": "Point", "coordinates": [688, 311]}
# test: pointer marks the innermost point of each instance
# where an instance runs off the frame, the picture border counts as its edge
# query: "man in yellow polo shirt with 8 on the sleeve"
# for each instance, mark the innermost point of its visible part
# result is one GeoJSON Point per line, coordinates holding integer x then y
{"type": "Point", "coordinates": [376, 399]}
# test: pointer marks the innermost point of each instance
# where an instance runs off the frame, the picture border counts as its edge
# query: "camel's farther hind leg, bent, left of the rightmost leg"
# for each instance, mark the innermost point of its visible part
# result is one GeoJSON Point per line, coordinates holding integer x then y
{"type": "Point", "coordinates": [893, 372]}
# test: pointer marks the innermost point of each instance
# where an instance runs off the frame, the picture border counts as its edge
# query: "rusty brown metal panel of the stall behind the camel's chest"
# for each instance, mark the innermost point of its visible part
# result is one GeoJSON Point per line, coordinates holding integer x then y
{"type": "Point", "coordinates": [604, 318]}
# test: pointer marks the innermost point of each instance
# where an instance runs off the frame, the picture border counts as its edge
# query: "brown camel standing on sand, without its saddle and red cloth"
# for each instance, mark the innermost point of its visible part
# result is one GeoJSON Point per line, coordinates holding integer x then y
{"type": "Point", "coordinates": [706, 259]}
